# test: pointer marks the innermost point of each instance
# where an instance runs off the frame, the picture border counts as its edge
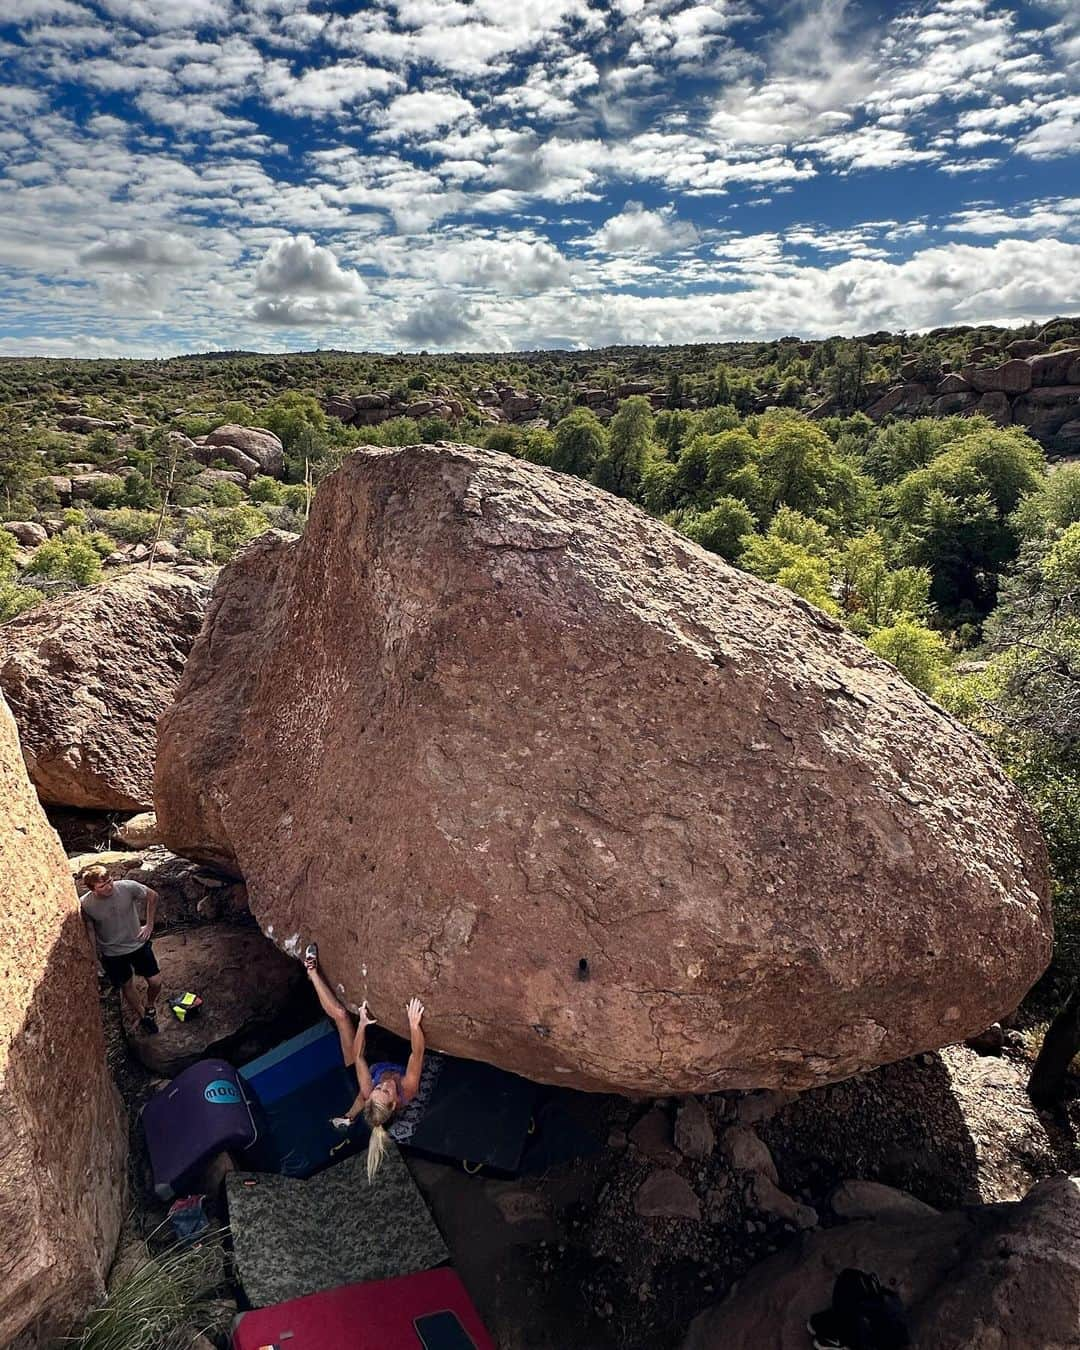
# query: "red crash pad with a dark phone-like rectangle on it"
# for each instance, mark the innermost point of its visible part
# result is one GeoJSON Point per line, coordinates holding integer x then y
{"type": "Point", "coordinates": [380, 1316]}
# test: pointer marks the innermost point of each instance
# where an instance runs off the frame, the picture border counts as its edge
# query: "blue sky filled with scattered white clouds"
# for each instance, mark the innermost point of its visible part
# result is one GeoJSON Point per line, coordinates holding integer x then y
{"type": "Point", "coordinates": [497, 175]}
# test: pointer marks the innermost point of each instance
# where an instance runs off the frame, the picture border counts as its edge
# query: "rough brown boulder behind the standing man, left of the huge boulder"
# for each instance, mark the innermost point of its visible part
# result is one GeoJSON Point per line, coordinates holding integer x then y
{"type": "Point", "coordinates": [87, 677]}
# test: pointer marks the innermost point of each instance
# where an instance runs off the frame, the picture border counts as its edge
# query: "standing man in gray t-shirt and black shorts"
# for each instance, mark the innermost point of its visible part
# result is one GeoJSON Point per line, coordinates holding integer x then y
{"type": "Point", "coordinates": [122, 940]}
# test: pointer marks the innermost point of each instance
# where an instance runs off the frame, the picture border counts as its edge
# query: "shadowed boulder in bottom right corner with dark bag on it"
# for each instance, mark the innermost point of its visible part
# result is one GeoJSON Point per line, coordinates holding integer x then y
{"type": "Point", "coordinates": [992, 1278]}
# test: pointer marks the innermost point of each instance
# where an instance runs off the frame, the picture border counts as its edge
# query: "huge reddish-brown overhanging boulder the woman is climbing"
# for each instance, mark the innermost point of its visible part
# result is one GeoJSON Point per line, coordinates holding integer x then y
{"type": "Point", "coordinates": [485, 723]}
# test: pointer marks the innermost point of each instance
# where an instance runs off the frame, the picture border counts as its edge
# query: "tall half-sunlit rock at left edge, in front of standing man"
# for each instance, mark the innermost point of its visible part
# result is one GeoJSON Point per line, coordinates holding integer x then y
{"type": "Point", "coordinates": [63, 1137]}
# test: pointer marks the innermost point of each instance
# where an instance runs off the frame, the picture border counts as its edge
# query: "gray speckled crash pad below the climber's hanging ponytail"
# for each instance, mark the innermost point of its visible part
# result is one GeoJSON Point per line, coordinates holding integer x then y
{"type": "Point", "coordinates": [295, 1237]}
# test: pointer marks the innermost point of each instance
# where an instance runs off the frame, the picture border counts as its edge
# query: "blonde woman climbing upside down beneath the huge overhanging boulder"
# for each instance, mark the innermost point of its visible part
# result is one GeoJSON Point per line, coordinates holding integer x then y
{"type": "Point", "coordinates": [385, 1087]}
